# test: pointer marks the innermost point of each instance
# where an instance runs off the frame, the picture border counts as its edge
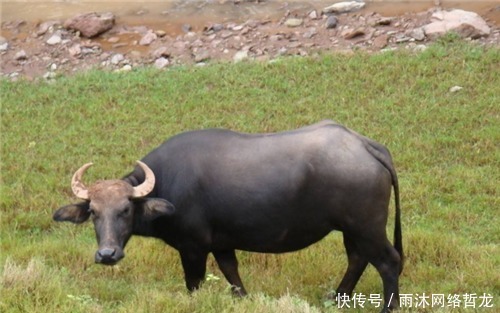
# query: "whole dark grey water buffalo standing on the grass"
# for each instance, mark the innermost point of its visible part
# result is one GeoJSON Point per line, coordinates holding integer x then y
{"type": "Point", "coordinates": [217, 191]}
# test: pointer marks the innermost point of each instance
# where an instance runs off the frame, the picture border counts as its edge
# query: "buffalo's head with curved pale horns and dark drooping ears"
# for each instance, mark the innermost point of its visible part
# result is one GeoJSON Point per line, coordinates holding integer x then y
{"type": "Point", "coordinates": [117, 209]}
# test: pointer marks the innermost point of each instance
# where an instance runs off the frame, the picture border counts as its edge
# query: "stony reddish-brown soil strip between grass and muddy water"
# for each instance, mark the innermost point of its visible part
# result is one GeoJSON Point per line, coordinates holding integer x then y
{"type": "Point", "coordinates": [44, 48]}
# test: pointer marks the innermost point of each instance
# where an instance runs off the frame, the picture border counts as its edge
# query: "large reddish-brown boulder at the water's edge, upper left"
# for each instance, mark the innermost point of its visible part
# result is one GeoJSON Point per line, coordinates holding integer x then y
{"type": "Point", "coordinates": [91, 24]}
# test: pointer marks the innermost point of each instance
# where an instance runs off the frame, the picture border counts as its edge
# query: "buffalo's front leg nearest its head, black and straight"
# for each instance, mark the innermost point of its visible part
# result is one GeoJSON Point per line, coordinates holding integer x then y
{"type": "Point", "coordinates": [194, 265]}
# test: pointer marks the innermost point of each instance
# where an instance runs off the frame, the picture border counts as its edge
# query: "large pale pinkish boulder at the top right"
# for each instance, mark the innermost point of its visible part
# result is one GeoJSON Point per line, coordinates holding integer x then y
{"type": "Point", "coordinates": [466, 24]}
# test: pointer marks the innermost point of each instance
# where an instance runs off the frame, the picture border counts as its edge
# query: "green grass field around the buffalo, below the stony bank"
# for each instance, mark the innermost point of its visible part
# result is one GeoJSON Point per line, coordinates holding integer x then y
{"type": "Point", "coordinates": [445, 146]}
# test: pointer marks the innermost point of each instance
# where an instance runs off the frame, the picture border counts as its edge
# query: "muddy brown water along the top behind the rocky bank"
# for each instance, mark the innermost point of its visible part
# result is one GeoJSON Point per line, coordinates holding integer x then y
{"type": "Point", "coordinates": [170, 15]}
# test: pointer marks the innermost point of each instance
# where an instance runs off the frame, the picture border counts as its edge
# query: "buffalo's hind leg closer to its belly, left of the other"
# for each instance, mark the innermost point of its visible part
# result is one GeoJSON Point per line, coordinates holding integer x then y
{"type": "Point", "coordinates": [355, 268]}
